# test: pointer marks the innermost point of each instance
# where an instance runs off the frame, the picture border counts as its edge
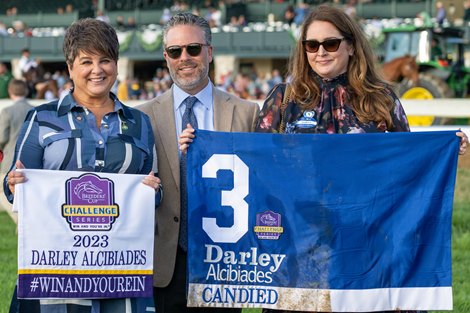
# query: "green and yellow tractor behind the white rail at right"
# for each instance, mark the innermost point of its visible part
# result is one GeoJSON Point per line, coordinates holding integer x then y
{"type": "Point", "coordinates": [439, 54]}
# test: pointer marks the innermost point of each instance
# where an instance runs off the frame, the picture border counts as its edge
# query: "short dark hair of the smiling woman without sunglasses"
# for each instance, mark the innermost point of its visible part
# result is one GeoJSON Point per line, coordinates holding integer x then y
{"type": "Point", "coordinates": [92, 36]}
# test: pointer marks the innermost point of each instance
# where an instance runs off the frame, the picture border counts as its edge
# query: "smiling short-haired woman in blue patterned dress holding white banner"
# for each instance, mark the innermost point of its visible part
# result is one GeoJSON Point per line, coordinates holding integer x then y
{"type": "Point", "coordinates": [90, 130]}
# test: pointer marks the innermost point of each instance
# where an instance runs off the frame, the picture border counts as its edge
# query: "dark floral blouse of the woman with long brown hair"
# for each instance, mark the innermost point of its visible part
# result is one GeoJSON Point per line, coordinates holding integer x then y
{"type": "Point", "coordinates": [332, 115]}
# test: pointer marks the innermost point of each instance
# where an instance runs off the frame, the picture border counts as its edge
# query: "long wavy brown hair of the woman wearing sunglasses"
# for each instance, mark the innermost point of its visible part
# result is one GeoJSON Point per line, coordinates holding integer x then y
{"type": "Point", "coordinates": [367, 90]}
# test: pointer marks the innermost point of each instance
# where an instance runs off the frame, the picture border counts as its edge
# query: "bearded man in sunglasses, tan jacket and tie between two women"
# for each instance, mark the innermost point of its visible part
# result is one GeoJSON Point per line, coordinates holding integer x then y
{"type": "Point", "coordinates": [188, 53]}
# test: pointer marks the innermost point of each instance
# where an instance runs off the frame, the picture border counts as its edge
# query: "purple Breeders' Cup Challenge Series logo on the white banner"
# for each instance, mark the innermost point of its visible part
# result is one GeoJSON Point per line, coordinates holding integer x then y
{"type": "Point", "coordinates": [90, 203]}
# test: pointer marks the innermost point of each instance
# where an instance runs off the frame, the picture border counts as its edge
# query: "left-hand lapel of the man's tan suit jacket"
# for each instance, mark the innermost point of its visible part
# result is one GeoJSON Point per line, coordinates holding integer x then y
{"type": "Point", "coordinates": [165, 117]}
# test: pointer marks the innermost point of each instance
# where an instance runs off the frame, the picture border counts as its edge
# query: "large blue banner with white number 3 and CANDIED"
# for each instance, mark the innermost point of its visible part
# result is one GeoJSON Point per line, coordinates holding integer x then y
{"type": "Point", "coordinates": [343, 223]}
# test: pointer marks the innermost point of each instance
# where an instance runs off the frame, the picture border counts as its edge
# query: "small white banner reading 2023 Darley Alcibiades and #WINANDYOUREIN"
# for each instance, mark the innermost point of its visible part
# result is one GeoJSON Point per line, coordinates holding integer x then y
{"type": "Point", "coordinates": [84, 235]}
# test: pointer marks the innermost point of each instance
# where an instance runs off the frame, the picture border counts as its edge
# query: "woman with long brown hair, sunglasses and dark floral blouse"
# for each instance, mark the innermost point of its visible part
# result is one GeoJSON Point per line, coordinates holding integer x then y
{"type": "Point", "coordinates": [334, 87]}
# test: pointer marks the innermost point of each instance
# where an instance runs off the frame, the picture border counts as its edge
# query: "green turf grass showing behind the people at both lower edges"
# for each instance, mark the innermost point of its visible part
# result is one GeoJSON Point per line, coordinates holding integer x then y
{"type": "Point", "coordinates": [460, 250]}
